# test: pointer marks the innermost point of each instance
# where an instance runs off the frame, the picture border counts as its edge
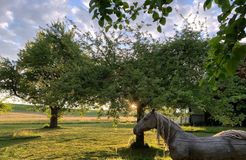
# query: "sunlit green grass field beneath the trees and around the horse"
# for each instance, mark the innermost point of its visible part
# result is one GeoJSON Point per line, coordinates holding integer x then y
{"type": "Point", "coordinates": [77, 139]}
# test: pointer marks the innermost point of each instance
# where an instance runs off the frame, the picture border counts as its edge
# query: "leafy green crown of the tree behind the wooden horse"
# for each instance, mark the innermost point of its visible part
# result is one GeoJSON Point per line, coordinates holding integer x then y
{"type": "Point", "coordinates": [139, 70]}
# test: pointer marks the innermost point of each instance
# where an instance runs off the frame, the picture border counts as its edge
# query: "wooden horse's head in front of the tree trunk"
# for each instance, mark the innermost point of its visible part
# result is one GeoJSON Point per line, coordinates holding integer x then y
{"type": "Point", "coordinates": [148, 122]}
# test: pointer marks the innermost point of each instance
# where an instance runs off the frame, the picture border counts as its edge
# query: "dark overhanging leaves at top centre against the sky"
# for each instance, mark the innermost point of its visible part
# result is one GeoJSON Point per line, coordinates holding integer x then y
{"type": "Point", "coordinates": [125, 12]}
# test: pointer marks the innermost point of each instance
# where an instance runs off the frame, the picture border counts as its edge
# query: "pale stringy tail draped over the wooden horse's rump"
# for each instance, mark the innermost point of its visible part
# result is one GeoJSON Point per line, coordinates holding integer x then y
{"type": "Point", "coordinates": [237, 134]}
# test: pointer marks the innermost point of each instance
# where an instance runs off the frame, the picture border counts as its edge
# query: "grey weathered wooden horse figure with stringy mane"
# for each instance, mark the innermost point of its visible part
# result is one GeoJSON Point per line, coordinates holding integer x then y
{"type": "Point", "coordinates": [227, 145]}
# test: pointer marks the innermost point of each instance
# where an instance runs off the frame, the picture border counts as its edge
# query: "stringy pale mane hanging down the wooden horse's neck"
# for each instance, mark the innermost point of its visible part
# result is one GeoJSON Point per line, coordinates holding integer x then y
{"type": "Point", "coordinates": [160, 126]}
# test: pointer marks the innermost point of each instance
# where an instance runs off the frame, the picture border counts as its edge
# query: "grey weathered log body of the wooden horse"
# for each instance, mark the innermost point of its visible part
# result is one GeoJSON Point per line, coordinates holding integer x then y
{"type": "Point", "coordinates": [211, 148]}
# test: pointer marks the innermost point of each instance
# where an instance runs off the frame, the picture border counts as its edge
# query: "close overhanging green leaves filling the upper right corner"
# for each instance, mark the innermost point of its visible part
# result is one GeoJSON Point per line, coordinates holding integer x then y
{"type": "Point", "coordinates": [226, 51]}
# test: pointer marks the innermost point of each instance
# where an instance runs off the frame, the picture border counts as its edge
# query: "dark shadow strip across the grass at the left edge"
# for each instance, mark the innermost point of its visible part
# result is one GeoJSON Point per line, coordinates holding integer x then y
{"type": "Point", "coordinates": [9, 140]}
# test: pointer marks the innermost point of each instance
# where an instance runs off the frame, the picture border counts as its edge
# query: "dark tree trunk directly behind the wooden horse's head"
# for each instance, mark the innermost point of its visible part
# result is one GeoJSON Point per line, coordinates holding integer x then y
{"type": "Point", "coordinates": [140, 115]}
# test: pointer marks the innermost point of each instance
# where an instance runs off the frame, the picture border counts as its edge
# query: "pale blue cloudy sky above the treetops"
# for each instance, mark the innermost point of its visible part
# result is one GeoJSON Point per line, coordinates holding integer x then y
{"type": "Point", "coordinates": [20, 20]}
